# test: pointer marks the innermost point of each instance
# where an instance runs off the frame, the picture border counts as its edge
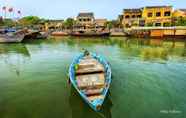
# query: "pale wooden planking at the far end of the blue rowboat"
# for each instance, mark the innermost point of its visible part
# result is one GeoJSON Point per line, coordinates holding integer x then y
{"type": "Point", "coordinates": [89, 66]}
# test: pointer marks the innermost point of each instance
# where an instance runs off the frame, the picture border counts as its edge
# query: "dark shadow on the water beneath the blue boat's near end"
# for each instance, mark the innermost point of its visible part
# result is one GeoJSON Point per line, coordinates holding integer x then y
{"type": "Point", "coordinates": [81, 110]}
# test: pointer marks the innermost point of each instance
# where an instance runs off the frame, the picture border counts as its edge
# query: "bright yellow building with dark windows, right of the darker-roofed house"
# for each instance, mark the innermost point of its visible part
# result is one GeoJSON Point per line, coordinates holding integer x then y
{"type": "Point", "coordinates": [157, 15]}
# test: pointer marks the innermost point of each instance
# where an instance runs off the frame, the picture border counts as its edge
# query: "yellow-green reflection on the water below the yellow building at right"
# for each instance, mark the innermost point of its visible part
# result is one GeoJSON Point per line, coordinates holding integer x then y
{"type": "Point", "coordinates": [152, 49]}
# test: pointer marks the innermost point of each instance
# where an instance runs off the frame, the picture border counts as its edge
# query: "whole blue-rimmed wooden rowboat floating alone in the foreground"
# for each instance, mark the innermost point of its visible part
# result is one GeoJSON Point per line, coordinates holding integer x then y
{"type": "Point", "coordinates": [90, 74]}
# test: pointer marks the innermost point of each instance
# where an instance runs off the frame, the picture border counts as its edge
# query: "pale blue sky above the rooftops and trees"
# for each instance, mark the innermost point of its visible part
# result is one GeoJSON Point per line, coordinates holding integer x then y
{"type": "Point", "coordinates": [61, 9]}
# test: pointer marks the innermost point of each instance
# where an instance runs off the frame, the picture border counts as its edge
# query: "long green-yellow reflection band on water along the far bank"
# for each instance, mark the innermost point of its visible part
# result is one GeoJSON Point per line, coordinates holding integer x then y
{"type": "Point", "coordinates": [145, 49]}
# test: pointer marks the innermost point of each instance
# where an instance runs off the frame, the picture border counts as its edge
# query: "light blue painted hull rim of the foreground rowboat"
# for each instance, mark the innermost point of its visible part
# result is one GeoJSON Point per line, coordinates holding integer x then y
{"type": "Point", "coordinates": [96, 104]}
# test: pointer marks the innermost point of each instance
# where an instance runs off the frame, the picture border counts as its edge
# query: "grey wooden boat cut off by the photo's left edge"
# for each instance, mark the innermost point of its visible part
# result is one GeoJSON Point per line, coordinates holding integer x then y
{"type": "Point", "coordinates": [12, 37]}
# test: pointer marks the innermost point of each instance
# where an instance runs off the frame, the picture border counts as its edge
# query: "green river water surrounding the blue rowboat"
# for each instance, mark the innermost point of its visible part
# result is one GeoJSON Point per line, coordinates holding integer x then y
{"type": "Point", "coordinates": [149, 78]}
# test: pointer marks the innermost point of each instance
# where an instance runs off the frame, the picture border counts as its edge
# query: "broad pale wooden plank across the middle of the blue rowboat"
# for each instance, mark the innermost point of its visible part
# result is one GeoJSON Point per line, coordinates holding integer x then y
{"type": "Point", "coordinates": [90, 81]}
